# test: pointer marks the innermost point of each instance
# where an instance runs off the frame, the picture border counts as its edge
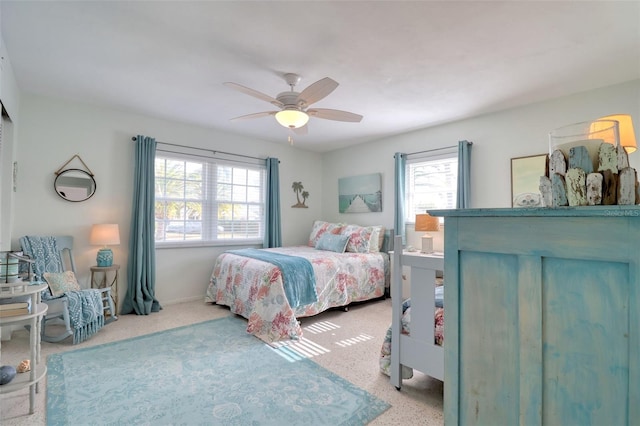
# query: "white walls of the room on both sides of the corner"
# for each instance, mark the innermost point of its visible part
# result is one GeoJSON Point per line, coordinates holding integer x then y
{"type": "Point", "coordinates": [52, 131]}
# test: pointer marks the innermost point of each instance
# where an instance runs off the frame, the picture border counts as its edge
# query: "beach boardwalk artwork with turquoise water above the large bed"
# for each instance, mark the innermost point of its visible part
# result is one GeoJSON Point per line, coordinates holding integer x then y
{"type": "Point", "coordinates": [360, 194]}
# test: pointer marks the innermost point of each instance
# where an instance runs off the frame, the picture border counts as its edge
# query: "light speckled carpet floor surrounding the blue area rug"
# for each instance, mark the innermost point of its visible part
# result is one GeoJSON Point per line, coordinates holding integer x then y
{"type": "Point", "coordinates": [351, 349]}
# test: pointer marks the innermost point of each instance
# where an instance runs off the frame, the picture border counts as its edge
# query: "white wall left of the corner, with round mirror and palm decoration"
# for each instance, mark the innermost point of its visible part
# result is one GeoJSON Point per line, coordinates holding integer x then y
{"type": "Point", "coordinates": [52, 131]}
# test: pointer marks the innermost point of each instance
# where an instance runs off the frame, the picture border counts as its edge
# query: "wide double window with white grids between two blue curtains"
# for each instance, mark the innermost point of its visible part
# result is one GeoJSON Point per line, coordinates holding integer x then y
{"type": "Point", "coordinates": [201, 200]}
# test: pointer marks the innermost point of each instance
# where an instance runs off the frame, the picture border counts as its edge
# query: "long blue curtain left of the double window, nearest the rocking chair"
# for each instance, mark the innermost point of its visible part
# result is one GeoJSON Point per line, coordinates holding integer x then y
{"type": "Point", "coordinates": [141, 267]}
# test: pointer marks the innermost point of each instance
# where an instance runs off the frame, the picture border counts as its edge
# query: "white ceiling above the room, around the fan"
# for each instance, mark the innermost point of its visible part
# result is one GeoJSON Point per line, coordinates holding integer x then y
{"type": "Point", "coordinates": [402, 65]}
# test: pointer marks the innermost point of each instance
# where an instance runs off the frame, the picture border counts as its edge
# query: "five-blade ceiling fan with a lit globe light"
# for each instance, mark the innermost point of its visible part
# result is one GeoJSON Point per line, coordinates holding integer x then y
{"type": "Point", "coordinates": [294, 110]}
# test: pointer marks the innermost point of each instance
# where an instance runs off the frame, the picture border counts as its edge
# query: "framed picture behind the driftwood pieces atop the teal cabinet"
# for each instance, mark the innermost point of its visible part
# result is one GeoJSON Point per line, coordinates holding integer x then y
{"type": "Point", "coordinates": [525, 180]}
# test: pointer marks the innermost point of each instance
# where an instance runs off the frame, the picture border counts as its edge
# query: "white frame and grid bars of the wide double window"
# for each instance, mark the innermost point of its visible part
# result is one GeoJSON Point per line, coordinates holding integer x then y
{"type": "Point", "coordinates": [210, 200]}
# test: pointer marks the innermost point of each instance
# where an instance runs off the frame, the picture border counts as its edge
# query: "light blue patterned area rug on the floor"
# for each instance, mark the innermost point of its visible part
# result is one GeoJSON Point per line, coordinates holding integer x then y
{"type": "Point", "coordinates": [208, 373]}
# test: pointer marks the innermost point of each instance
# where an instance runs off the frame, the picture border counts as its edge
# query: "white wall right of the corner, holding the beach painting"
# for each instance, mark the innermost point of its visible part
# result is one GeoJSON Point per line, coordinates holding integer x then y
{"type": "Point", "coordinates": [496, 139]}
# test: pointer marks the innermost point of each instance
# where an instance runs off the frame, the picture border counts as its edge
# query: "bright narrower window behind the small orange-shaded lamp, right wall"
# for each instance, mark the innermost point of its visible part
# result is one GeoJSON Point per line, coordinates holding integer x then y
{"type": "Point", "coordinates": [431, 183]}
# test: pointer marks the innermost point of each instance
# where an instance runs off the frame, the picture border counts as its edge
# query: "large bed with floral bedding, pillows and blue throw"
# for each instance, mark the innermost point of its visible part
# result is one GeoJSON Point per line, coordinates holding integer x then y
{"type": "Point", "coordinates": [349, 264]}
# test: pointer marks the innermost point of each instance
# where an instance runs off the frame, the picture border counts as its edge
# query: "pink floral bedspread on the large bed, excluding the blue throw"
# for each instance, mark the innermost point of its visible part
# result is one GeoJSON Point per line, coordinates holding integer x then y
{"type": "Point", "coordinates": [254, 289]}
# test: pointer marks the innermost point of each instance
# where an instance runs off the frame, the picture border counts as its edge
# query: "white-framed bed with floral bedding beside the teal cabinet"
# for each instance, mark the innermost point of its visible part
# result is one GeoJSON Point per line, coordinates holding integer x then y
{"type": "Point", "coordinates": [418, 321]}
